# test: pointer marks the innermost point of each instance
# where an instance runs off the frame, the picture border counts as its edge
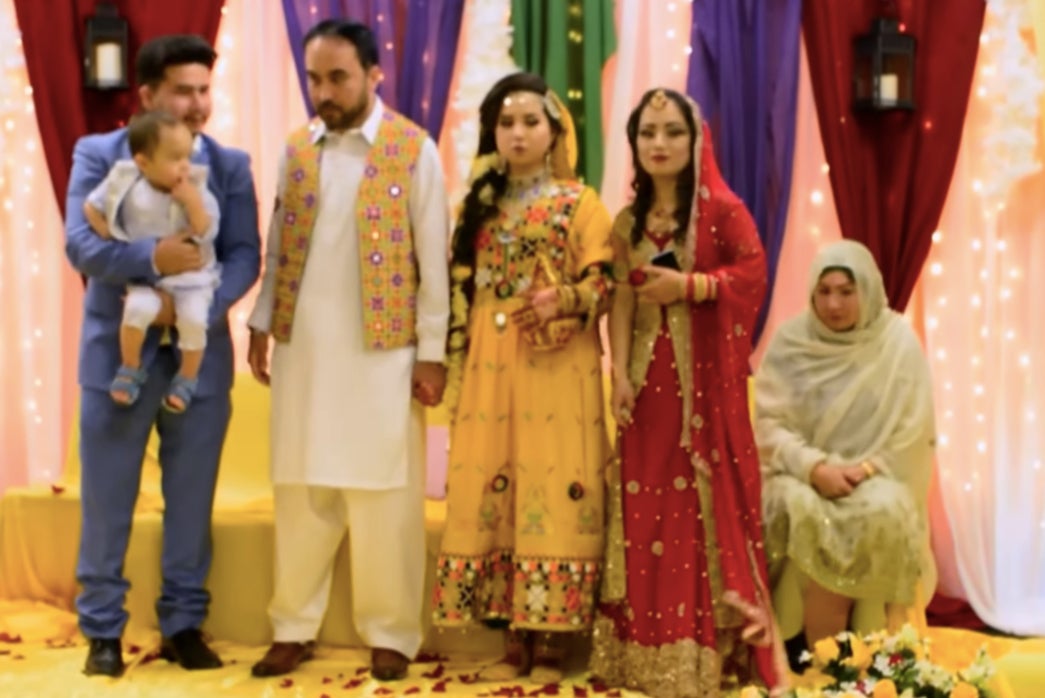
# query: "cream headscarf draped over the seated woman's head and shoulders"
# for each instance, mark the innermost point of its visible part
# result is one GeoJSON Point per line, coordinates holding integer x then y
{"type": "Point", "coordinates": [864, 394]}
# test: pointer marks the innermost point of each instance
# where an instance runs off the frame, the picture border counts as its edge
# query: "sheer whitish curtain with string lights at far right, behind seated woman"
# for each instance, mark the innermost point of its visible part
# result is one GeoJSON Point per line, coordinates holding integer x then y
{"type": "Point", "coordinates": [983, 293]}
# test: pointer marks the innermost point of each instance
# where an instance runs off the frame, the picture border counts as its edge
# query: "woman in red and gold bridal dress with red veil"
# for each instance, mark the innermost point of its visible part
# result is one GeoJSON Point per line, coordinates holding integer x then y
{"type": "Point", "coordinates": [685, 608]}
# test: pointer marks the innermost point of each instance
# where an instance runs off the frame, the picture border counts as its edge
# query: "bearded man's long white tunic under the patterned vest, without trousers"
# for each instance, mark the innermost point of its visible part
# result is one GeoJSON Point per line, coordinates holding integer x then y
{"type": "Point", "coordinates": [341, 412]}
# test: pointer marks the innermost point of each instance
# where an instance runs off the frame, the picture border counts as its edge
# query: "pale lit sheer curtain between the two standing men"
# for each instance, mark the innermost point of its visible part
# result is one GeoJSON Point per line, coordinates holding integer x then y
{"type": "Point", "coordinates": [258, 103]}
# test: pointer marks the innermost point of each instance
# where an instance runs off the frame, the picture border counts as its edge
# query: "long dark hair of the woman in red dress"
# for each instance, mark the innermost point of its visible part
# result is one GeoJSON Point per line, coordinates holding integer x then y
{"type": "Point", "coordinates": [643, 184]}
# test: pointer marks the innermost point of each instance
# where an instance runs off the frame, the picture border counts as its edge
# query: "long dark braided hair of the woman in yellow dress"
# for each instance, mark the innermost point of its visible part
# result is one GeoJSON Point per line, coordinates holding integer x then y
{"type": "Point", "coordinates": [474, 212]}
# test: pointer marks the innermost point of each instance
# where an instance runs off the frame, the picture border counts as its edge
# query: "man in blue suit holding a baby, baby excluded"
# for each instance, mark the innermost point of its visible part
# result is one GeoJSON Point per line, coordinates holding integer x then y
{"type": "Point", "coordinates": [174, 75]}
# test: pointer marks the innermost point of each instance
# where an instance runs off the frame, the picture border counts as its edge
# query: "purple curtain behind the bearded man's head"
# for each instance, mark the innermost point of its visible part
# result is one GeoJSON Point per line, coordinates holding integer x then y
{"type": "Point", "coordinates": [417, 42]}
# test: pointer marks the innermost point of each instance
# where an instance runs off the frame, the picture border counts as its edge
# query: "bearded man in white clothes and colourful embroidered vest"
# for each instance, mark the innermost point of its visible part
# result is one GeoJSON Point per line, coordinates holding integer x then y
{"type": "Point", "coordinates": [356, 296]}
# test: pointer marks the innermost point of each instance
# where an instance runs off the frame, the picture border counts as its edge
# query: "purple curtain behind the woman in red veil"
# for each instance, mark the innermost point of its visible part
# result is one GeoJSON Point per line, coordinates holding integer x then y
{"type": "Point", "coordinates": [745, 75]}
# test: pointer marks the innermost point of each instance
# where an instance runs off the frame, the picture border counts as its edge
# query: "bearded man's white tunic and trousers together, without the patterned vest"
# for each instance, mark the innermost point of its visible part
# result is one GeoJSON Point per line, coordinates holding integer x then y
{"type": "Point", "coordinates": [347, 440]}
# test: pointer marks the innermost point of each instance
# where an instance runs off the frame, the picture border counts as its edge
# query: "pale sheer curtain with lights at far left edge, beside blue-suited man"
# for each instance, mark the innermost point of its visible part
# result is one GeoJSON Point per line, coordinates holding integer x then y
{"type": "Point", "coordinates": [39, 292]}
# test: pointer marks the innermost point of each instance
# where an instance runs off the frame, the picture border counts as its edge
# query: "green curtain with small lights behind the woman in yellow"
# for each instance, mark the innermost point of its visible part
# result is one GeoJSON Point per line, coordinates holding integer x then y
{"type": "Point", "coordinates": [569, 42]}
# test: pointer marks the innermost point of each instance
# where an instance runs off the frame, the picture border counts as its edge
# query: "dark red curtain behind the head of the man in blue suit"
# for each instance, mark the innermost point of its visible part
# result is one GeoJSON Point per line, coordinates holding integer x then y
{"type": "Point", "coordinates": [53, 39]}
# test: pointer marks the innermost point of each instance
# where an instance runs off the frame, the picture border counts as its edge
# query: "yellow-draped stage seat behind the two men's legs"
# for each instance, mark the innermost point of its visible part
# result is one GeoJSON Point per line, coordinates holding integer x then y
{"type": "Point", "coordinates": [40, 530]}
